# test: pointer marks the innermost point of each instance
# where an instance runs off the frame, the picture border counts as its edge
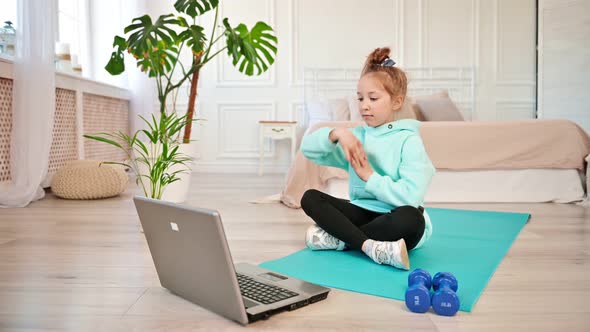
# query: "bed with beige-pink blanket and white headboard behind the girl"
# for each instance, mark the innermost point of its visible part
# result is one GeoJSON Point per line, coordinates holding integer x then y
{"type": "Point", "coordinates": [477, 161]}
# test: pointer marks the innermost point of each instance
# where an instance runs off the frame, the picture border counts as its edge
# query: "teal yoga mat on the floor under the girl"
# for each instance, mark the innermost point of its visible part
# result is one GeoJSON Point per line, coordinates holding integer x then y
{"type": "Point", "coordinates": [469, 244]}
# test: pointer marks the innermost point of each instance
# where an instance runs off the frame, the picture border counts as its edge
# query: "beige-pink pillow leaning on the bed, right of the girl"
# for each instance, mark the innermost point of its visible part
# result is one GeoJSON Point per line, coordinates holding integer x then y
{"type": "Point", "coordinates": [437, 107]}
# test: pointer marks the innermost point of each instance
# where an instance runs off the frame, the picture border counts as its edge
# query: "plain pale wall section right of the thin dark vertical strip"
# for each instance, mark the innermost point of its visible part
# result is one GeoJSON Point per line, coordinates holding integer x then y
{"type": "Point", "coordinates": [564, 60]}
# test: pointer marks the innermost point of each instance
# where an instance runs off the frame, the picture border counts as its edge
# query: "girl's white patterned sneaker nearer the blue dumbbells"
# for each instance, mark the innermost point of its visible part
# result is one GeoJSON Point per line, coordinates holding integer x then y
{"type": "Point", "coordinates": [394, 253]}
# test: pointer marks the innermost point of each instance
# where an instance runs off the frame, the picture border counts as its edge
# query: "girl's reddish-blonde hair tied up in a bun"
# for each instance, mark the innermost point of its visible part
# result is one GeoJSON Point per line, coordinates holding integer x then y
{"type": "Point", "coordinates": [393, 79]}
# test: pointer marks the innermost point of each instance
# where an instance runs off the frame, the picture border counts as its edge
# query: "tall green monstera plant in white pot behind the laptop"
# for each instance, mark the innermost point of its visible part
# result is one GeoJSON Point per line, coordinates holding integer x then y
{"type": "Point", "coordinates": [156, 47]}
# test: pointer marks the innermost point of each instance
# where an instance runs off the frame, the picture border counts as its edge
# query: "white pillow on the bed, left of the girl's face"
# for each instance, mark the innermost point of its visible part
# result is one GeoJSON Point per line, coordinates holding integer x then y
{"type": "Point", "coordinates": [322, 110]}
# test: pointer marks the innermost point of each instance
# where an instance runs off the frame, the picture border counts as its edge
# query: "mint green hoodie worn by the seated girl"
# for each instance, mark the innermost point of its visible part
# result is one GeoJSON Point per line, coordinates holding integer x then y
{"type": "Point", "coordinates": [402, 170]}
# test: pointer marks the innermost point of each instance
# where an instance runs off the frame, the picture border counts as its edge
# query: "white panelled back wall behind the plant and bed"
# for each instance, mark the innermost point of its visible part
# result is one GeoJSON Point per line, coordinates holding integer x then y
{"type": "Point", "coordinates": [497, 37]}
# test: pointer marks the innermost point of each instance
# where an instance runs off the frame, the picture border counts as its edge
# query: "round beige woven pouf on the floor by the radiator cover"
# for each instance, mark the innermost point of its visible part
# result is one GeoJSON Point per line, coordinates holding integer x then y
{"type": "Point", "coordinates": [89, 179]}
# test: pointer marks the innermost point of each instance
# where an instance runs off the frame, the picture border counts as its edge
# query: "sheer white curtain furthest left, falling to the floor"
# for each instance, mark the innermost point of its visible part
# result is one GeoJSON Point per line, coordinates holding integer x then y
{"type": "Point", "coordinates": [33, 102]}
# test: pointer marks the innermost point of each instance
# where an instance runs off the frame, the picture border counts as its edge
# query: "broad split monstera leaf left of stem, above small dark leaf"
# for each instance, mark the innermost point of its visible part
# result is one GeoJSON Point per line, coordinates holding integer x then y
{"type": "Point", "coordinates": [145, 34]}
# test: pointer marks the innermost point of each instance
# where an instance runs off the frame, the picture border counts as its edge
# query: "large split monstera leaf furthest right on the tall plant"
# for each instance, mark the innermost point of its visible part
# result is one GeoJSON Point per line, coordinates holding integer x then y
{"type": "Point", "coordinates": [252, 51]}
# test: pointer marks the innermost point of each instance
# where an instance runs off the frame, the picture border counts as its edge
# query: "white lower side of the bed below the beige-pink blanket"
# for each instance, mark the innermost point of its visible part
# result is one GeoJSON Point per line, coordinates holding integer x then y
{"type": "Point", "coordinates": [526, 185]}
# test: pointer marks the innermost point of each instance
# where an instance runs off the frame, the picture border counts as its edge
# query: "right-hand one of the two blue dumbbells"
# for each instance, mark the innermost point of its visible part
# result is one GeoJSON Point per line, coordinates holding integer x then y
{"type": "Point", "coordinates": [445, 301]}
